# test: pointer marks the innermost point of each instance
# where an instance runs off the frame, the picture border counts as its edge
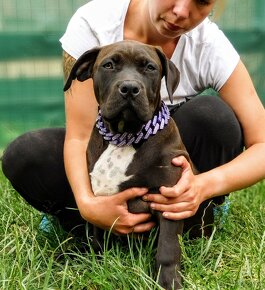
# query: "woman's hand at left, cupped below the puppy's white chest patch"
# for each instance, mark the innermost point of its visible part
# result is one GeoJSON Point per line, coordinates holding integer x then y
{"type": "Point", "coordinates": [111, 212]}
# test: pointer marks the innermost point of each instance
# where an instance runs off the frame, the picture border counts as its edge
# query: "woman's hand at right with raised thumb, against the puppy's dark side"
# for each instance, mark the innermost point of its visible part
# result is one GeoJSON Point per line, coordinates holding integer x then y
{"type": "Point", "coordinates": [182, 200]}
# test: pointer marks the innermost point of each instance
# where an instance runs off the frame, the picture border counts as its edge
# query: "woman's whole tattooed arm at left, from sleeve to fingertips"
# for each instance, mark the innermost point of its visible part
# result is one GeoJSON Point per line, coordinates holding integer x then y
{"type": "Point", "coordinates": [81, 111]}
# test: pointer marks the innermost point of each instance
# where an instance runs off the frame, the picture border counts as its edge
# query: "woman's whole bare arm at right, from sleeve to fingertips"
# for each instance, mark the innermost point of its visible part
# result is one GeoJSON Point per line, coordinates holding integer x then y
{"type": "Point", "coordinates": [183, 200]}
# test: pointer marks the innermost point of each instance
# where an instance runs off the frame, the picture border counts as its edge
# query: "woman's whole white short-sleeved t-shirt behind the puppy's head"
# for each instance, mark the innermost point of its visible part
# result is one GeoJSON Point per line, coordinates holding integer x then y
{"type": "Point", "coordinates": [204, 56]}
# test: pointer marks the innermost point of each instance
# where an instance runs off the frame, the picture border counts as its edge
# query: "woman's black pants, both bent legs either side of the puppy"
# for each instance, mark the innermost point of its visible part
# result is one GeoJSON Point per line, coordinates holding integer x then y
{"type": "Point", "coordinates": [34, 161]}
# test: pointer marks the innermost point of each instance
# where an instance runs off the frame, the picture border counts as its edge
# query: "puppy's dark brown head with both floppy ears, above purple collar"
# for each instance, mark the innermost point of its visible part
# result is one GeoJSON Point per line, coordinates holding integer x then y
{"type": "Point", "coordinates": [127, 79]}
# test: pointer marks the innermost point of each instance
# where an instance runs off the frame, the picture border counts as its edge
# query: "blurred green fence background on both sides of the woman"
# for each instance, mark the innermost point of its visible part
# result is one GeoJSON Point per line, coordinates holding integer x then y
{"type": "Point", "coordinates": [31, 78]}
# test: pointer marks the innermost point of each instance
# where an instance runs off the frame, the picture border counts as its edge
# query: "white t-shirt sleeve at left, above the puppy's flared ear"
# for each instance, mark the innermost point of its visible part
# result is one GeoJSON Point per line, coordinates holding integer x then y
{"type": "Point", "coordinates": [79, 36]}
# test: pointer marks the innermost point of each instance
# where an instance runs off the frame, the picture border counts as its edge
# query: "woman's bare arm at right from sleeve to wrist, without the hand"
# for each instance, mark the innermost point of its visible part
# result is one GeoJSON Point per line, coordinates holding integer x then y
{"type": "Point", "coordinates": [249, 167]}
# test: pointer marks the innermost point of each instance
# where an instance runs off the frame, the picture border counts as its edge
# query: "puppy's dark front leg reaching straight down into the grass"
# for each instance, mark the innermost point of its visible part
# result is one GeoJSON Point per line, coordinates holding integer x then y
{"type": "Point", "coordinates": [168, 257]}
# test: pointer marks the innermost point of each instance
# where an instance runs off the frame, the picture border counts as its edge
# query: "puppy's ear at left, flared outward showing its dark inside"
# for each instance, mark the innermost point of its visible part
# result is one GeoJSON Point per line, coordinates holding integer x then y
{"type": "Point", "coordinates": [83, 67]}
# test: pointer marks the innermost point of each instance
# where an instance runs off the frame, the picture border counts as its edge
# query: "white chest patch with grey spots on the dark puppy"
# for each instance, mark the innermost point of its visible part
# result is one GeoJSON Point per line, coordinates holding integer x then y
{"type": "Point", "coordinates": [109, 170]}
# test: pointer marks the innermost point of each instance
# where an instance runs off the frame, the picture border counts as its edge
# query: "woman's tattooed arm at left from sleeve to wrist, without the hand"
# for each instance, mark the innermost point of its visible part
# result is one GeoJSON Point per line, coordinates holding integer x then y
{"type": "Point", "coordinates": [81, 111]}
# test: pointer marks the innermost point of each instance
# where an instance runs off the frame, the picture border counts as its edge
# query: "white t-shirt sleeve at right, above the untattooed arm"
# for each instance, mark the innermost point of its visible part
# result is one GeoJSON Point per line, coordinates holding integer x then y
{"type": "Point", "coordinates": [220, 60]}
